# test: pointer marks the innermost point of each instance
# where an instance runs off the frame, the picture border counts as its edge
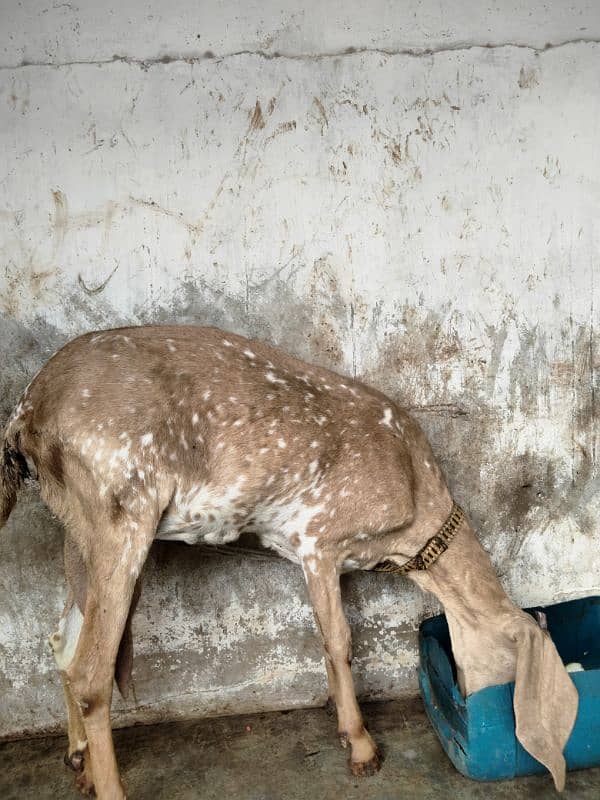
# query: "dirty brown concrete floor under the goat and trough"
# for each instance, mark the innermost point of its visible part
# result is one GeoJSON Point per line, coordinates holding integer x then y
{"type": "Point", "coordinates": [279, 756]}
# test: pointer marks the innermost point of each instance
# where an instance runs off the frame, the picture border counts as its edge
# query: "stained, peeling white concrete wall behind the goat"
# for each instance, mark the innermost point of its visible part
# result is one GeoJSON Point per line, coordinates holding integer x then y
{"type": "Point", "coordinates": [407, 193]}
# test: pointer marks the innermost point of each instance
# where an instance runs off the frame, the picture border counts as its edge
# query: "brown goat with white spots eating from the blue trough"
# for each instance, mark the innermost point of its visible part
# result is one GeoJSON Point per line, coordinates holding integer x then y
{"type": "Point", "coordinates": [192, 434]}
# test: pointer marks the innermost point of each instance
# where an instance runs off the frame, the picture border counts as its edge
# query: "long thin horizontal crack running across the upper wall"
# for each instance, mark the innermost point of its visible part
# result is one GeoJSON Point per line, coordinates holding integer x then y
{"type": "Point", "coordinates": [146, 63]}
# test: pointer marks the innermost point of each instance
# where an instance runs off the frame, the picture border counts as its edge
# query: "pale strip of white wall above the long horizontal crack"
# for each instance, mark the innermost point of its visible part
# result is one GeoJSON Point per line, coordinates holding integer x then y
{"type": "Point", "coordinates": [38, 31]}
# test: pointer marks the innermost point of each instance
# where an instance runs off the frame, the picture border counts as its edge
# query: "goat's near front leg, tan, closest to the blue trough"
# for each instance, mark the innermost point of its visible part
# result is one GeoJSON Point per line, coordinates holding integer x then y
{"type": "Point", "coordinates": [325, 596]}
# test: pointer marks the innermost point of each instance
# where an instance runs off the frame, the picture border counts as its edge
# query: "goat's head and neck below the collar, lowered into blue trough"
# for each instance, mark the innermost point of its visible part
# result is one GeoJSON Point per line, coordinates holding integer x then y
{"type": "Point", "coordinates": [494, 642]}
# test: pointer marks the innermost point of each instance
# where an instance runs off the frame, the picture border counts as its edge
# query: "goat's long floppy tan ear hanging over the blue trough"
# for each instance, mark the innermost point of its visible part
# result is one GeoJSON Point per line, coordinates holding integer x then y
{"type": "Point", "coordinates": [545, 700]}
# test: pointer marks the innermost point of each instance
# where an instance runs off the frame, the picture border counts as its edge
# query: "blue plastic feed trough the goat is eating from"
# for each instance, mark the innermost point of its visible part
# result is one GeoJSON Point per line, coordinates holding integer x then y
{"type": "Point", "coordinates": [478, 733]}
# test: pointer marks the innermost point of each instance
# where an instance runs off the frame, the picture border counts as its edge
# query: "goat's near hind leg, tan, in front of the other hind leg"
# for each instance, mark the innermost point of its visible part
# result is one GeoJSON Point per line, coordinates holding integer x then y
{"type": "Point", "coordinates": [113, 568]}
